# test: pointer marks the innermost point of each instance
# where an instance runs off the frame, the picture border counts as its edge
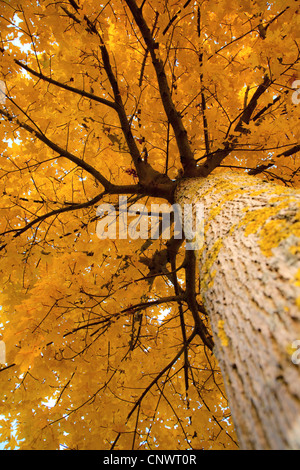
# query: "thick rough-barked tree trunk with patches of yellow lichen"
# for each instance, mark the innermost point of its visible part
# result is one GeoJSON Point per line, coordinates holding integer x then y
{"type": "Point", "coordinates": [249, 268]}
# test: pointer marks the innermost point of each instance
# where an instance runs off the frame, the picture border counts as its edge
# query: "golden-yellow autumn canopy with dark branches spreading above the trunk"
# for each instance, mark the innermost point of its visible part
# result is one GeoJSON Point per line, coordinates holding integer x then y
{"type": "Point", "coordinates": [108, 344]}
